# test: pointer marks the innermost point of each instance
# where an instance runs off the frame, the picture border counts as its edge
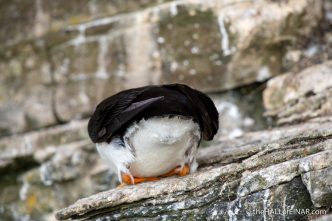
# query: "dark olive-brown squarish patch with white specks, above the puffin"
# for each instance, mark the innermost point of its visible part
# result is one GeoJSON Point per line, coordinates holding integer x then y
{"type": "Point", "coordinates": [192, 40]}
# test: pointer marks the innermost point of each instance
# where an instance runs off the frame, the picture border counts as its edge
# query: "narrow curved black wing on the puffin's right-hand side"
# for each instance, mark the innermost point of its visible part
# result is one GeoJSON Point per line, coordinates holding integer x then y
{"type": "Point", "coordinates": [204, 107]}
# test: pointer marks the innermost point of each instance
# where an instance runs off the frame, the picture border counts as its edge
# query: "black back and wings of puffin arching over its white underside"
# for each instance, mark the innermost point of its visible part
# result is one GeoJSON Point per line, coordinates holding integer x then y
{"type": "Point", "coordinates": [115, 113]}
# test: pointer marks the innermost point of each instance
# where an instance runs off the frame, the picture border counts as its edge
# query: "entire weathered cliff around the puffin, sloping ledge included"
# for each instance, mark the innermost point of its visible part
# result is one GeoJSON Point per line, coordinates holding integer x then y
{"type": "Point", "coordinates": [58, 59]}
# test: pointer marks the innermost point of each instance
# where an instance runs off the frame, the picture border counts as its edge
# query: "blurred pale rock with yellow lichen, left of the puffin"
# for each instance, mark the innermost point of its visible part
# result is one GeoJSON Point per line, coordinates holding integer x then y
{"type": "Point", "coordinates": [61, 165]}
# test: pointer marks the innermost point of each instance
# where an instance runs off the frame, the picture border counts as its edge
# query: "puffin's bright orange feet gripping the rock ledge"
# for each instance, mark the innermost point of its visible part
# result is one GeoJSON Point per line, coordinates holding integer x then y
{"type": "Point", "coordinates": [127, 179]}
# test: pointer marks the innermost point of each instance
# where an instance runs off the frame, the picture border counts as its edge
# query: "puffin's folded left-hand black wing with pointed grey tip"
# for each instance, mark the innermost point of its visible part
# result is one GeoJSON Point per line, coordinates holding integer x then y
{"type": "Point", "coordinates": [112, 113]}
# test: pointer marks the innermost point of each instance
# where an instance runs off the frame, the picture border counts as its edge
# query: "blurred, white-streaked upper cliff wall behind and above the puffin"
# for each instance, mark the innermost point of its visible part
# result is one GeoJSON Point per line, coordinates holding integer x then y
{"type": "Point", "coordinates": [71, 55]}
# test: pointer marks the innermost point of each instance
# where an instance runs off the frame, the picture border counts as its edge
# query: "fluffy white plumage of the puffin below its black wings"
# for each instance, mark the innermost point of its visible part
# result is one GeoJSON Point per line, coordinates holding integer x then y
{"type": "Point", "coordinates": [153, 147]}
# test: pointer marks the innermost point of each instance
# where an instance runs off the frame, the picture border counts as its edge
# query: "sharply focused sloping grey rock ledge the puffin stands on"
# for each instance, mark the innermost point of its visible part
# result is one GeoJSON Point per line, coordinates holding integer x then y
{"type": "Point", "coordinates": [278, 178]}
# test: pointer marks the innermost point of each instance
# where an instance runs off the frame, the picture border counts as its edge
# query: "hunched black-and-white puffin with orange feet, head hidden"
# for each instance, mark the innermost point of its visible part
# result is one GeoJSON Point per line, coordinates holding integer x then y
{"type": "Point", "coordinates": [152, 132]}
